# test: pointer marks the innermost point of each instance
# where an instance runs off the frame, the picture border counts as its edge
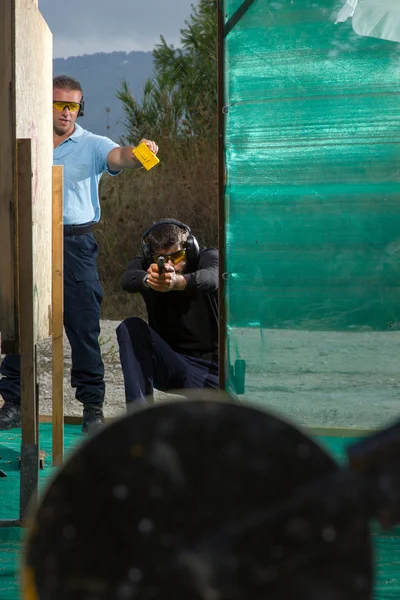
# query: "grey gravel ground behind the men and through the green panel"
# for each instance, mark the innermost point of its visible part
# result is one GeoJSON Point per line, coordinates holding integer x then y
{"type": "Point", "coordinates": [328, 379]}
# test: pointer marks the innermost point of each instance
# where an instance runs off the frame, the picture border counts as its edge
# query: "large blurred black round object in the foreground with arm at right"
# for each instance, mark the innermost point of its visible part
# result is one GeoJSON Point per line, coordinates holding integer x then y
{"type": "Point", "coordinates": [209, 499]}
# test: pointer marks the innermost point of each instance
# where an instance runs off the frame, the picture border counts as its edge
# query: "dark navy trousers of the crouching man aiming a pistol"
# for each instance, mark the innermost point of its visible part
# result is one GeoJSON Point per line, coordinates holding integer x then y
{"type": "Point", "coordinates": [148, 362]}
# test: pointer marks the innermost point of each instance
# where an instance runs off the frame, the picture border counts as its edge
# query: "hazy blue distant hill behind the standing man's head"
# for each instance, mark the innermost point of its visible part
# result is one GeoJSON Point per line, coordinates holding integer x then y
{"type": "Point", "coordinates": [100, 76]}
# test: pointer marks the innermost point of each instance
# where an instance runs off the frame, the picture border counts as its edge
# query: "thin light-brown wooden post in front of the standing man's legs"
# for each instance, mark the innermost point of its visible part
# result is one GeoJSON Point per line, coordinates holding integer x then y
{"type": "Point", "coordinates": [57, 317]}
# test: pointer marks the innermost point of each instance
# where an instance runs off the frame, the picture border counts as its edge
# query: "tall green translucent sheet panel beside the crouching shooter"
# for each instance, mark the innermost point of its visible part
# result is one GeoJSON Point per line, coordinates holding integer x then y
{"type": "Point", "coordinates": [312, 139]}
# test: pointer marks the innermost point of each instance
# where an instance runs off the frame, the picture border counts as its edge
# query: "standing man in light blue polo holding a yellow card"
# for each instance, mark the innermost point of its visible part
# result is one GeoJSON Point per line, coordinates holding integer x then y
{"type": "Point", "coordinates": [85, 157]}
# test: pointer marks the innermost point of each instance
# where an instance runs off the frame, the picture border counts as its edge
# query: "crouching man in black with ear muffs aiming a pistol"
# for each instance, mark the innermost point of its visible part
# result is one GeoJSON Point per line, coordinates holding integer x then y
{"type": "Point", "coordinates": [178, 348]}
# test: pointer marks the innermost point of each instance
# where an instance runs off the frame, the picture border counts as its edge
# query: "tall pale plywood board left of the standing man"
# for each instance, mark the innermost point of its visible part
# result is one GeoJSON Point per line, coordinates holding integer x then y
{"type": "Point", "coordinates": [33, 89]}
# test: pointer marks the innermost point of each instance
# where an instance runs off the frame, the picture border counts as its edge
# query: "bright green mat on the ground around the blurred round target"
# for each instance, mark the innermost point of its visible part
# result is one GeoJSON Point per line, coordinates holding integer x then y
{"type": "Point", "coordinates": [387, 545]}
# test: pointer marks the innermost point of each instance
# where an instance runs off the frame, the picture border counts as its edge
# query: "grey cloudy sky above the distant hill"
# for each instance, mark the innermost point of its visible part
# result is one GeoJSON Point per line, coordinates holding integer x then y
{"type": "Point", "coordinates": [89, 26]}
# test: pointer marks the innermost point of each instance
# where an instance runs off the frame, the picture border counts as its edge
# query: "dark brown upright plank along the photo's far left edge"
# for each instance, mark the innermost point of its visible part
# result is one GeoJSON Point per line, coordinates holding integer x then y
{"type": "Point", "coordinates": [8, 315]}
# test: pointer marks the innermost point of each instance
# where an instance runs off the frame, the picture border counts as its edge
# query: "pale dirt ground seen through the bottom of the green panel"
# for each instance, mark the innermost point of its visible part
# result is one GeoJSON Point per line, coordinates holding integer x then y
{"type": "Point", "coordinates": [345, 379]}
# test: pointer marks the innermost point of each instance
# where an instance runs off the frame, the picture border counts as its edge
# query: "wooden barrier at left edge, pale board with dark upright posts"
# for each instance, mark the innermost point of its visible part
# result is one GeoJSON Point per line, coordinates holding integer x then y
{"type": "Point", "coordinates": [25, 212]}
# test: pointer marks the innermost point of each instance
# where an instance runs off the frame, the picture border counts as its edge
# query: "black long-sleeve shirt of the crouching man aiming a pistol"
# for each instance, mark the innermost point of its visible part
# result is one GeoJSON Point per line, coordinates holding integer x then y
{"type": "Point", "coordinates": [187, 320]}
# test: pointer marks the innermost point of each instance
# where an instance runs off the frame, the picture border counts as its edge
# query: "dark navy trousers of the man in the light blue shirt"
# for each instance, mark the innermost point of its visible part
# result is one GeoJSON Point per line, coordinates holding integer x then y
{"type": "Point", "coordinates": [82, 301]}
